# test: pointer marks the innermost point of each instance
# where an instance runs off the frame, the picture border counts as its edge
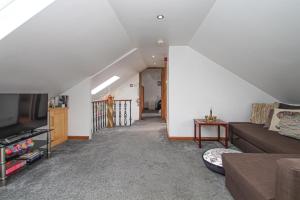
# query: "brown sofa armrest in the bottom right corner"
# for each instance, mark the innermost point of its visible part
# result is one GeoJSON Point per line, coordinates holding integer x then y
{"type": "Point", "coordinates": [288, 179]}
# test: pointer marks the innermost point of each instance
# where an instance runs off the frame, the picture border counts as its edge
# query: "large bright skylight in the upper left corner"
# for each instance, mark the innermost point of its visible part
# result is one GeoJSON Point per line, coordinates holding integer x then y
{"type": "Point", "coordinates": [14, 13]}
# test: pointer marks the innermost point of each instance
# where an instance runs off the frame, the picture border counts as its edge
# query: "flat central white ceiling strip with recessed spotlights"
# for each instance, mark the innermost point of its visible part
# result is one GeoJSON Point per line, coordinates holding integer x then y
{"type": "Point", "coordinates": [182, 19]}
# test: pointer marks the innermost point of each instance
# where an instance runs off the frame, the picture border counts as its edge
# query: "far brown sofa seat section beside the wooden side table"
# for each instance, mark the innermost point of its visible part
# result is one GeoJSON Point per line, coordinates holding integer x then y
{"type": "Point", "coordinates": [268, 141]}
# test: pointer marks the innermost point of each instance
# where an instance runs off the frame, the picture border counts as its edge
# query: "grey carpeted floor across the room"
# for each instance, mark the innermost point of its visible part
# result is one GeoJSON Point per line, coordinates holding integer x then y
{"type": "Point", "coordinates": [137, 162]}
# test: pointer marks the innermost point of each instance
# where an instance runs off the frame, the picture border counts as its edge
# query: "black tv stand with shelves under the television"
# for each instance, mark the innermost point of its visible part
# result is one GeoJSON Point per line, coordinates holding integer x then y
{"type": "Point", "coordinates": [44, 145]}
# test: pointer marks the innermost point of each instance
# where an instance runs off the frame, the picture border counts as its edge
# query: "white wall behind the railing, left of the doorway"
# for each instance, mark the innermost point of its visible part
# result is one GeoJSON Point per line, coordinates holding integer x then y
{"type": "Point", "coordinates": [127, 92]}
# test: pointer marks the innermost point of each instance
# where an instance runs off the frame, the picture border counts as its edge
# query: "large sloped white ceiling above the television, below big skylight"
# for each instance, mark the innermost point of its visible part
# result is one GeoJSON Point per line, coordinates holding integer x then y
{"type": "Point", "coordinates": [65, 43]}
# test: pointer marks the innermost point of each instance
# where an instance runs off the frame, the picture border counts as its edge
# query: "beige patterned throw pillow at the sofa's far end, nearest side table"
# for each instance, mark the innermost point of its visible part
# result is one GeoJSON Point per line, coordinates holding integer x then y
{"type": "Point", "coordinates": [260, 112]}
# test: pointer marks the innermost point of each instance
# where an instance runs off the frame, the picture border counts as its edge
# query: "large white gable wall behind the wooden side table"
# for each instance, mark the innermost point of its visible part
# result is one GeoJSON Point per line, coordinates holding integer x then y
{"type": "Point", "coordinates": [196, 84]}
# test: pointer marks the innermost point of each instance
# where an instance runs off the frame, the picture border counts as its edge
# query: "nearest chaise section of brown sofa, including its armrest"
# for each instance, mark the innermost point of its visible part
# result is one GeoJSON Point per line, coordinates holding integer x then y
{"type": "Point", "coordinates": [253, 176]}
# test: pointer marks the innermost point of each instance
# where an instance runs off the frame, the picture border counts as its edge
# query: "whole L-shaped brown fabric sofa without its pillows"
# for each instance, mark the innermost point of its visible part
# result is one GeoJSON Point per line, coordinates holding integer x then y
{"type": "Point", "coordinates": [264, 171]}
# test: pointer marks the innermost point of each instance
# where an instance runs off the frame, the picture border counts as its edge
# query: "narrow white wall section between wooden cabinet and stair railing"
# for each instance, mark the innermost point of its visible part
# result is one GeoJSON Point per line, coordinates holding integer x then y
{"type": "Point", "coordinates": [80, 109]}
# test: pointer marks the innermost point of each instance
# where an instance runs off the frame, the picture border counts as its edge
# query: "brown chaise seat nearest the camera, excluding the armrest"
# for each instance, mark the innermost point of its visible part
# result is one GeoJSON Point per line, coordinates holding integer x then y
{"type": "Point", "coordinates": [254, 174]}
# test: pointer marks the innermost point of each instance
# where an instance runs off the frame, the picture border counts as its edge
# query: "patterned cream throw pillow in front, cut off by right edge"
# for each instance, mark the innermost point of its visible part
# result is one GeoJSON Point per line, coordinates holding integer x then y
{"type": "Point", "coordinates": [290, 125]}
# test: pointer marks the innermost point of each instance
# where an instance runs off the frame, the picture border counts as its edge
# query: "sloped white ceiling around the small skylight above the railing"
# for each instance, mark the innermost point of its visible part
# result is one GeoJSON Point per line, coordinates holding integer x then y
{"type": "Point", "coordinates": [125, 68]}
